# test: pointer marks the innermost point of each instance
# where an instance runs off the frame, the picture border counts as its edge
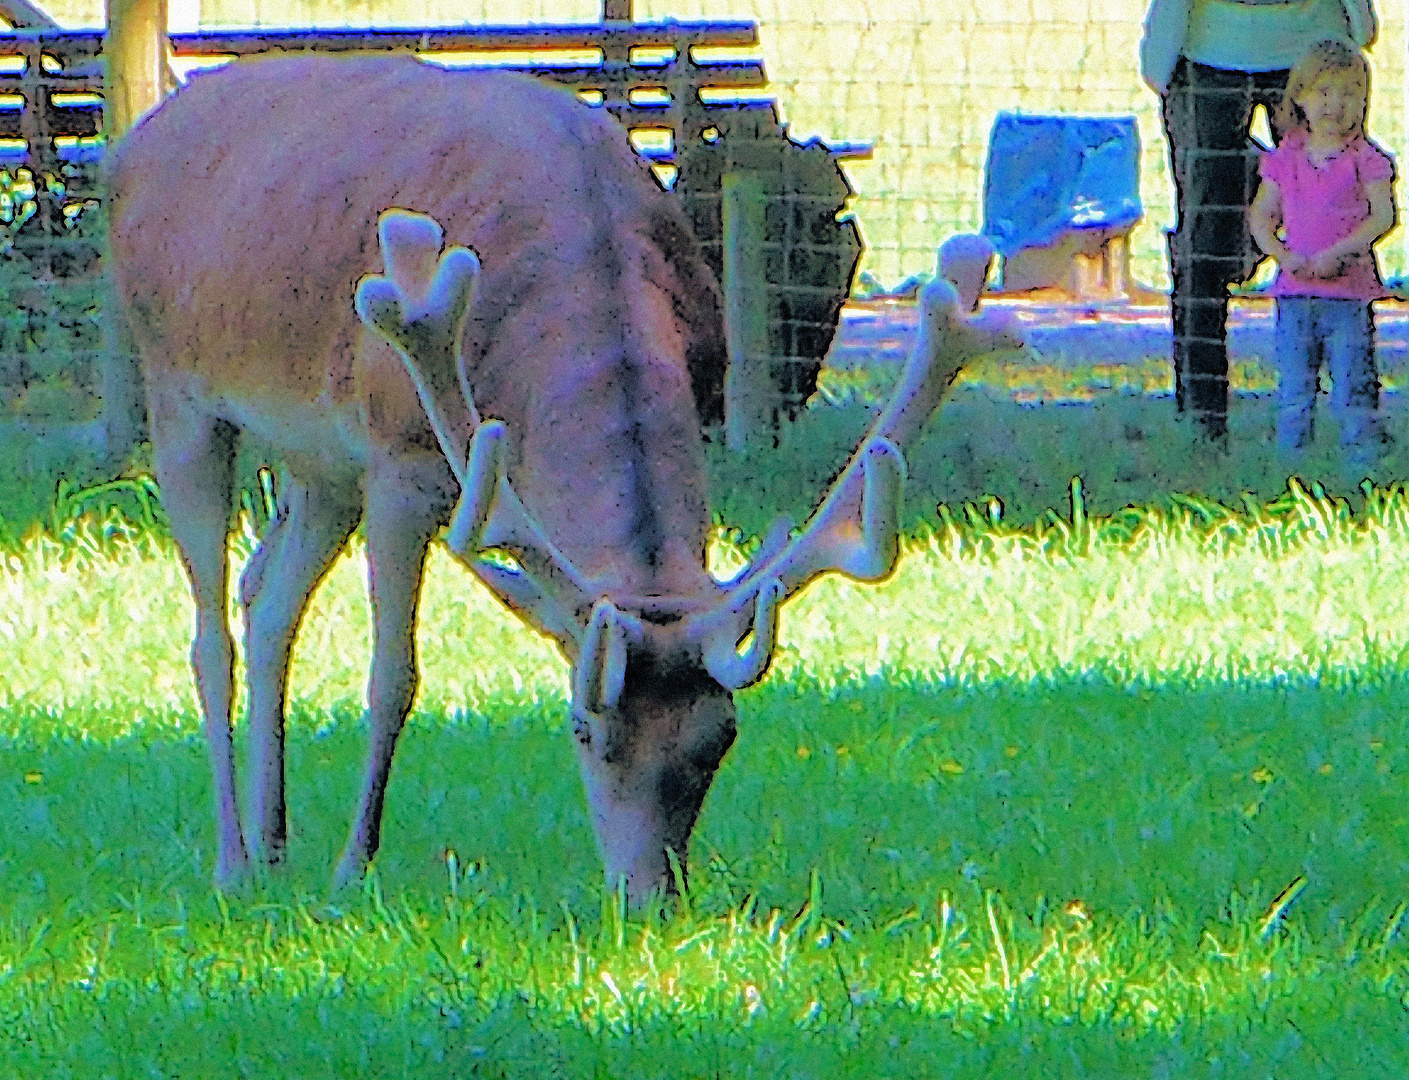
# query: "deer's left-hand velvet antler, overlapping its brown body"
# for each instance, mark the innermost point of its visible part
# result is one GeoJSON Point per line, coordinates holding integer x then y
{"type": "Point", "coordinates": [421, 309]}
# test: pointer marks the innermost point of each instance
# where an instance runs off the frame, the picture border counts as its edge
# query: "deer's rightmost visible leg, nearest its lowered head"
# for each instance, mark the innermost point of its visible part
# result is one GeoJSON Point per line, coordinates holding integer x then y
{"type": "Point", "coordinates": [406, 503]}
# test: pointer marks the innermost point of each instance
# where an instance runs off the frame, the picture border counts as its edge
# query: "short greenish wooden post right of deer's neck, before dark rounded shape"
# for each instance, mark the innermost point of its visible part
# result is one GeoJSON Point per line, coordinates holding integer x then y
{"type": "Point", "coordinates": [750, 394]}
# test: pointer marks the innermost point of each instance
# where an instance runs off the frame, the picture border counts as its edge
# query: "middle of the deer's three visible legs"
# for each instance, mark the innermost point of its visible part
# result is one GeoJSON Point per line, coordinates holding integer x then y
{"type": "Point", "coordinates": [314, 523]}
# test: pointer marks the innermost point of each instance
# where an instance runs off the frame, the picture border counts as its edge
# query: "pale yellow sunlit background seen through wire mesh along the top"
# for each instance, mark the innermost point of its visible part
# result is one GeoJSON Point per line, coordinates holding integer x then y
{"type": "Point", "coordinates": [921, 80]}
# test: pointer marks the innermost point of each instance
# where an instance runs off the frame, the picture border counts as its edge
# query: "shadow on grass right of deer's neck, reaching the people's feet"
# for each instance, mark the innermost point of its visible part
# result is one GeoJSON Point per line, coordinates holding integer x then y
{"type": "Point", "coordinates": [1126, 448]}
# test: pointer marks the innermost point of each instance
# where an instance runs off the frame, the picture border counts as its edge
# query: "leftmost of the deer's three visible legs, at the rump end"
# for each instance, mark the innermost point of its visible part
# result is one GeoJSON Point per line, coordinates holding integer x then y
{"type": "Point", "coordinates": [195, 460]}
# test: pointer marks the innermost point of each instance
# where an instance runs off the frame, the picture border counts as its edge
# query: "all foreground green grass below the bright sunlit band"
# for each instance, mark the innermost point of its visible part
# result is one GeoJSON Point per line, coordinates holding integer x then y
{"type": "Point", "coordinates": [142, 971]}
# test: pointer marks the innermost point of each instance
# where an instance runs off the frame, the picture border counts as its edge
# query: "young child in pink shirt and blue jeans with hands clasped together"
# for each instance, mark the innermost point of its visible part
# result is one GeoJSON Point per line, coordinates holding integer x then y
{"type": "Point", "coordinates": [1328, 188]}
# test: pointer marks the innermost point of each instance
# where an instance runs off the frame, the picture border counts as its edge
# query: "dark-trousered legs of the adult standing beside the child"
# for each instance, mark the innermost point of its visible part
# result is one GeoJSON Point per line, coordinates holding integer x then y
{"type": "Point", "coordinates": [1207, 118]}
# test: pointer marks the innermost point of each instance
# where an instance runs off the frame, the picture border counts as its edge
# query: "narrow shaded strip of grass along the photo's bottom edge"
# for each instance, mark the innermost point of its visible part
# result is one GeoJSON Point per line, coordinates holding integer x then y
{"type": "Point", "coordinates": [1315, 1036]}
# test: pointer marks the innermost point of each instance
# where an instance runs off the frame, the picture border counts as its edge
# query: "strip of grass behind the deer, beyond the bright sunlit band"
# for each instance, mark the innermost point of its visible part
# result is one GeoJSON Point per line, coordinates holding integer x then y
{"type": "Point", "coordinates": [1012, 432]}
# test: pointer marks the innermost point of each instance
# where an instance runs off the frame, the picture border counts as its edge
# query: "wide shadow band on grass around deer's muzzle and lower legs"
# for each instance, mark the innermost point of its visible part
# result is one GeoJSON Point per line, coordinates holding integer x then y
{"type": "Point", "coordinates": [1124, 799]}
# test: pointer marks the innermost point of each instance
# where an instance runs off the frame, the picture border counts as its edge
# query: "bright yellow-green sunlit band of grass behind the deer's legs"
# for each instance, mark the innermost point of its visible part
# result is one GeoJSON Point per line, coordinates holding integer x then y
{"type": "Point", "coordinates": [1296, 588]}
